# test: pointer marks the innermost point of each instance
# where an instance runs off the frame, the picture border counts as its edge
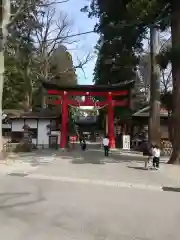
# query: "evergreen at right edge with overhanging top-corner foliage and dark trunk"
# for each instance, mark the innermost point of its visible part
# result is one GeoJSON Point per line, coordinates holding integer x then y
{"type": "Point", "coordinates": [167, 13]}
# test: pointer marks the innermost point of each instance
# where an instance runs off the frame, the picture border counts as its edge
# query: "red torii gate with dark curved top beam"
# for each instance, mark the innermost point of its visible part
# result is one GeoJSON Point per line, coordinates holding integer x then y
{"type": "Point", "coordinates": [108, 92]}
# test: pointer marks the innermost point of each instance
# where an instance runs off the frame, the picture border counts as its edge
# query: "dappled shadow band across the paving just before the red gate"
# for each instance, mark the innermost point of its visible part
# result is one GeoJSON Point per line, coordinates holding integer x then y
{"type": "Point", "coordinates": [93, 155]}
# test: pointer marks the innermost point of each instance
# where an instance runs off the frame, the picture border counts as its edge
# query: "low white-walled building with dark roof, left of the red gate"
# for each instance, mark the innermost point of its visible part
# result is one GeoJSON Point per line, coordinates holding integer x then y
{"type": "Point", "coordinates": [43, 126]}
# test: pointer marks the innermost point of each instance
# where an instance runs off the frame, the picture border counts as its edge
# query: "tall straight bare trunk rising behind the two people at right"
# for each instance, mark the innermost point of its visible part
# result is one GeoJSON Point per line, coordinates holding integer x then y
{"type": "Point", "coordinates": [154, 118]}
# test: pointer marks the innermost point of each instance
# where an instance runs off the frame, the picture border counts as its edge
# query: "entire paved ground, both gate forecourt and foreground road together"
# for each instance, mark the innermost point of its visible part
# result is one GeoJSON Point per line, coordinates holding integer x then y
{"type": "Point", "coordinates": [84, 196]}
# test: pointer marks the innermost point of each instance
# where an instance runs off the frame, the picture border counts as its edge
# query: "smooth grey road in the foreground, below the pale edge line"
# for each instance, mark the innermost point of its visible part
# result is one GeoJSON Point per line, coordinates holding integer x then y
{"type": "Point", "coordinates": [34, 209]}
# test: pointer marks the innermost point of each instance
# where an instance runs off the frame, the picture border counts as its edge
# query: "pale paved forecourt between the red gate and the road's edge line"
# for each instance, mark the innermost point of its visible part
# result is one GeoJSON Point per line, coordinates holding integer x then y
{"type": "Point", "coordinates": [91, 165]}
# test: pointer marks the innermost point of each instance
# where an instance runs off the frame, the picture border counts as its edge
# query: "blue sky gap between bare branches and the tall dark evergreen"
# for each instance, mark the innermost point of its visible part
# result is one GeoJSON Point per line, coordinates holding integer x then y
{"type": "Point", "coordinates": [86, 43]}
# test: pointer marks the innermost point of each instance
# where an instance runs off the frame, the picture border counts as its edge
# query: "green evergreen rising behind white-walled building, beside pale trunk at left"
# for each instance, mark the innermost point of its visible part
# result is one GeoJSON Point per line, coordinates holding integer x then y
{"type": "Point", "coordinates": [19, 57]}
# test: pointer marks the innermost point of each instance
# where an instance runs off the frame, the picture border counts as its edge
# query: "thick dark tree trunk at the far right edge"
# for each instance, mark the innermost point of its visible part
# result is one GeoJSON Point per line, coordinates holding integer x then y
{"type": "Point", "coordinates": [175, 31]}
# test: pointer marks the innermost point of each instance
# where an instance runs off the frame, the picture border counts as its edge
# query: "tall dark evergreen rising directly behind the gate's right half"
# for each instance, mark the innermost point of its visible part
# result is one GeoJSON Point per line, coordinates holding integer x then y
{"type": "Point", "coordinates": [120, 42]}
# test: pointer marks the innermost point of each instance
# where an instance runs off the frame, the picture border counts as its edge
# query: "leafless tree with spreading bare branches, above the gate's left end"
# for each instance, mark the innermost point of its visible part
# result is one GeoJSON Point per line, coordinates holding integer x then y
{"type": "Point", "coordinates": [46, 44]}
